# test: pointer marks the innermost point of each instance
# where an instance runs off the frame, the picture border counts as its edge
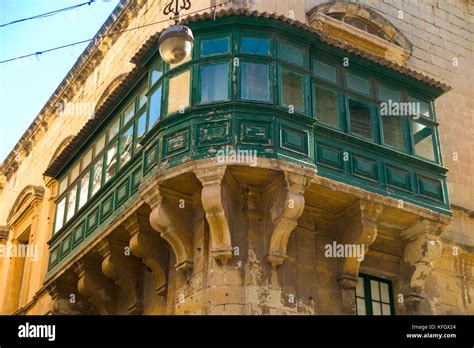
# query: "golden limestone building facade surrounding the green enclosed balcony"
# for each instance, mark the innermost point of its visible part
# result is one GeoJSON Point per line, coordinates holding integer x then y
{"type": "Point", "coordinates": [237, 247]}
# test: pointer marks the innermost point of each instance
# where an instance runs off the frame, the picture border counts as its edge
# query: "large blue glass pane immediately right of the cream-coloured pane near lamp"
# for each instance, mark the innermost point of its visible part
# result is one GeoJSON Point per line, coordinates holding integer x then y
{"type": "Point", "coordinates": [214, 82]}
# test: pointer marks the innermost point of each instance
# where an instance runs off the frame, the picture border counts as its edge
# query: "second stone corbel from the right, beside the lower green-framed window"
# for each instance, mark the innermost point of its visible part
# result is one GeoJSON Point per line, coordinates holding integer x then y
{"type": "Point", "coordinates": [357, 225]}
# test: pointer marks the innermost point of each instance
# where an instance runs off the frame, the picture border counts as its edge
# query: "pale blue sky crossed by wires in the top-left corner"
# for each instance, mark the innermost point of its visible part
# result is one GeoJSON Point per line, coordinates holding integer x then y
{"type": "Point", "coordinates": [27, 84]}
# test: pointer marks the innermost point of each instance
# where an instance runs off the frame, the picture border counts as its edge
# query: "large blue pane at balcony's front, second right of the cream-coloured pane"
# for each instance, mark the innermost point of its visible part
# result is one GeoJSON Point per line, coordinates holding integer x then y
{"type": "Point", "coordinates": [255, 83]}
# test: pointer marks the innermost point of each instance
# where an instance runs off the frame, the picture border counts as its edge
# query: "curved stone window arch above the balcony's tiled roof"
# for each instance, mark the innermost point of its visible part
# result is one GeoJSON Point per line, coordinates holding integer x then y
{"type": "Point", "coordinates": [360, 26]}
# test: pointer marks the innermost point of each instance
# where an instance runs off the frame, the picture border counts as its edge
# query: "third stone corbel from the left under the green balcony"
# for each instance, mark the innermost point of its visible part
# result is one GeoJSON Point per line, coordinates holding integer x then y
{"type": "Point", "coordinates": [124, 269]}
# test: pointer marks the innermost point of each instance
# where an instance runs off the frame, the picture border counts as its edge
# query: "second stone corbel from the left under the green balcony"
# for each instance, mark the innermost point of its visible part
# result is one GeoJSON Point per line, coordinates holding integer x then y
{"type": "Point", "coordinates": [95, 287]}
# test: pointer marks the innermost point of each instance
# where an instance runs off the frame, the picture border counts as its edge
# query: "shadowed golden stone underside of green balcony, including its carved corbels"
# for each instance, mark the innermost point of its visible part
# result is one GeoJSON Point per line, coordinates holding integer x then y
{"type": "Point", "coordinates": [183, 227]}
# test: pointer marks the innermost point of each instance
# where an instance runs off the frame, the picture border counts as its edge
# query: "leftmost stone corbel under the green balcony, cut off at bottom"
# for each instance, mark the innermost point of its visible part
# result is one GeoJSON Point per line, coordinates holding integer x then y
{"type": "Point", "coordinates": [66, 300]}
